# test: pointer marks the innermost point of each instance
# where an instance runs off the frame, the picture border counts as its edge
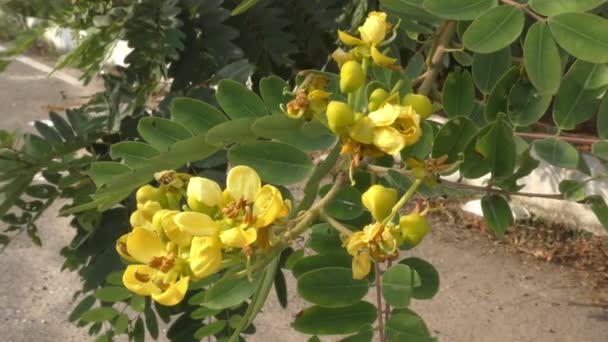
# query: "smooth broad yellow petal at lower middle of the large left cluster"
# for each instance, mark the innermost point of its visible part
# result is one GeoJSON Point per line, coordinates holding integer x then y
{"type": "Point", "coordinates": [205, 256]}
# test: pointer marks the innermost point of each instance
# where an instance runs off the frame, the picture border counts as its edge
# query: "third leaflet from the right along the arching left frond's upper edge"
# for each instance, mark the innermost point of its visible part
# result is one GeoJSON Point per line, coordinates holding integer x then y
{"type": "Point", "coordinates": [197, 116]}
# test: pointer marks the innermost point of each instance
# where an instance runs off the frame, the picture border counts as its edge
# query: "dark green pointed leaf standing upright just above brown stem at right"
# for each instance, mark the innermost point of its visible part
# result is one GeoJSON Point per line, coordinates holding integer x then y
{"type": "Point", "coordinates": [498, 148]}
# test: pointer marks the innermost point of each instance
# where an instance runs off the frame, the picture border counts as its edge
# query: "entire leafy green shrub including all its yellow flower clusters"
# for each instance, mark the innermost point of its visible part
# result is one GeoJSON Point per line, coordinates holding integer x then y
{"type": "Point", "coordinates": [208, 258]}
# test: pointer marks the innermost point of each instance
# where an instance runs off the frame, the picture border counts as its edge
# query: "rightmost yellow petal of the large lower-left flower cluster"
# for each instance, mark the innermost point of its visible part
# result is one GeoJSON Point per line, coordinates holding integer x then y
{"type": "Point", "coordinates": [269, 206]}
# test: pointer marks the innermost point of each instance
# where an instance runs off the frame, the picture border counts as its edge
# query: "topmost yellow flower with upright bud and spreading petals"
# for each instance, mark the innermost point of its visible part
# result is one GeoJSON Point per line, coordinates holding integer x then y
{"type": "Point", "coordinates": [372, 35]}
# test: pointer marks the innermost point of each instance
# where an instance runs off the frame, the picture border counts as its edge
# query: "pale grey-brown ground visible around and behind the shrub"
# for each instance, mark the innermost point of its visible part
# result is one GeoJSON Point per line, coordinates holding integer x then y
{"type": "Point", "coordinates": [487, 292]}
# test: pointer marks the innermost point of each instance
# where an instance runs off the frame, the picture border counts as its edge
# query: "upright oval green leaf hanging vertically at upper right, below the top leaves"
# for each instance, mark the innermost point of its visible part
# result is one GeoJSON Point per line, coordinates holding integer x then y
{"type": "Point", "coordinates": [542, 60]}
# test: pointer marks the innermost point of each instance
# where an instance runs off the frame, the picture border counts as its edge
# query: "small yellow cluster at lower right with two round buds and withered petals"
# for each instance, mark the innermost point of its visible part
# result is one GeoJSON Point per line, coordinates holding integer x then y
{"type": "Point", "coordinates": [380, 240]}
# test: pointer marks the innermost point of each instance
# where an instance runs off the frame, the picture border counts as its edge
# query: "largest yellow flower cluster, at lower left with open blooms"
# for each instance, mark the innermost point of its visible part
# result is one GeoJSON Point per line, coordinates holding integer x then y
{"type": "Point", "coordinates": [168, 247]}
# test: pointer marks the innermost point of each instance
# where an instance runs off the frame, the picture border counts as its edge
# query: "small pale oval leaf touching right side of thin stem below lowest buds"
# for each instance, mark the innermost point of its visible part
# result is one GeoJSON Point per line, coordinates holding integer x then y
{"type": "Point", "coordinates": [397, 285]}
